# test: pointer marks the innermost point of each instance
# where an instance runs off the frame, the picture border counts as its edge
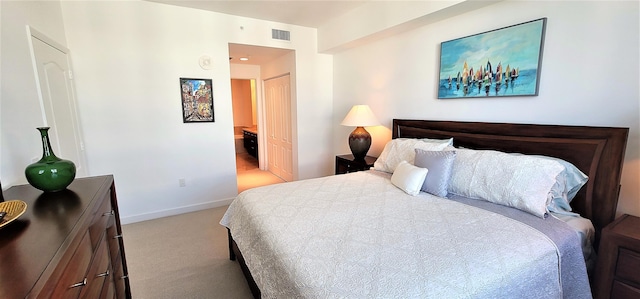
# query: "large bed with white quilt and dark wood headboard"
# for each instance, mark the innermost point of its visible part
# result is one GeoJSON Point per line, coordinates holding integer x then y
{"type": "Point", "coordinates": [363, 235]}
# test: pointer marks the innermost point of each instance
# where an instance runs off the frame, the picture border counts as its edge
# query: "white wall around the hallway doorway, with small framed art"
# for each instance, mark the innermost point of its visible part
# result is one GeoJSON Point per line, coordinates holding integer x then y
{"type": "Point", "coordinates": [128, 57]}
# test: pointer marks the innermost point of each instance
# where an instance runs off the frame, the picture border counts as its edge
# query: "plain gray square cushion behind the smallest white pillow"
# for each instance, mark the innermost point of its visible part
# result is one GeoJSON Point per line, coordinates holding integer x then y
{"type": "Point", "coordinates": [439, 164]}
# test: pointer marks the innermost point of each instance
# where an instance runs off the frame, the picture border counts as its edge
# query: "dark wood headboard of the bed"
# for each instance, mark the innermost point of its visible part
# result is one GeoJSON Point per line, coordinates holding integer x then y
{"type": "Point", "coordinates": [596, 151]}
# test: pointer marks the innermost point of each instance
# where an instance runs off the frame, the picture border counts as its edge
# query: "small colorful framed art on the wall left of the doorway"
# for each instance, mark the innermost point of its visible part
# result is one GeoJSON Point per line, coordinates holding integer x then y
{"type": "Point", "coordinates": [197, 100]}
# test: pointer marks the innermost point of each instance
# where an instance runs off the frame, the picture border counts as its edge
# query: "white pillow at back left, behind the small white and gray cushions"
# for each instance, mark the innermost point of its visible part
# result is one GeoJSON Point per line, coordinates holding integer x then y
{"type": "Point", "coordinates": [400, 149]}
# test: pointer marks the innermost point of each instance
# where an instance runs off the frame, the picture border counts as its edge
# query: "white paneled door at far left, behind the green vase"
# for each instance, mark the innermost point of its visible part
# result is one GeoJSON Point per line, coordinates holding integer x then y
{"type": "Point", "coordinates": [54, 78]}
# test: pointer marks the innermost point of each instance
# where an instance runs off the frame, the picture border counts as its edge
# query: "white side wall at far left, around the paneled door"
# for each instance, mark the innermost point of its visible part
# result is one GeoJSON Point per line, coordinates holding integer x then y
{"type": "Point", "coordinates": [20, 111]}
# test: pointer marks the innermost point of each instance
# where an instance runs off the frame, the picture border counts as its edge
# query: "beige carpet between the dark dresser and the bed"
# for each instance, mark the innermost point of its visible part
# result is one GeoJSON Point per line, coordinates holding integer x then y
{"type": "Point", "coordinates": [184, 256]}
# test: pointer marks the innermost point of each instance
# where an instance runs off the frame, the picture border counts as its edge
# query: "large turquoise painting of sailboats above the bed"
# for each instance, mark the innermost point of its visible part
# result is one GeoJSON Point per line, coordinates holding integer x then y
{"type": "Point", "coordinates": [500, 63]}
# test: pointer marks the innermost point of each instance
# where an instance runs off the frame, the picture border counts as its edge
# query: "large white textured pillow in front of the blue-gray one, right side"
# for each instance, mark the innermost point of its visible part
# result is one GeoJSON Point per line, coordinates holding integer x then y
{"type": "Point", "coordinates": [520, 181]}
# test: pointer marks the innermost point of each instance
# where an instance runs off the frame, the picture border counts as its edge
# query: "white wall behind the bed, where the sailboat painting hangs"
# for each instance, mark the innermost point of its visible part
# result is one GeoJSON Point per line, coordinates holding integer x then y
{"type": "Point", "coordinates": [589, 76]}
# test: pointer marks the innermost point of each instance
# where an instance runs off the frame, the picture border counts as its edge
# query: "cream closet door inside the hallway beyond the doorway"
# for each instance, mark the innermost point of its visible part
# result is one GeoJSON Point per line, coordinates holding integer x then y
{"type": "Point", "coordinates": [278, 112]}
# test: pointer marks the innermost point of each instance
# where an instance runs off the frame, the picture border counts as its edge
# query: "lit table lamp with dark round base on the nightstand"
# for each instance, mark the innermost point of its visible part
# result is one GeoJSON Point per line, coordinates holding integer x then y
{"type": "Point", "coordinates": [360, 116]}
